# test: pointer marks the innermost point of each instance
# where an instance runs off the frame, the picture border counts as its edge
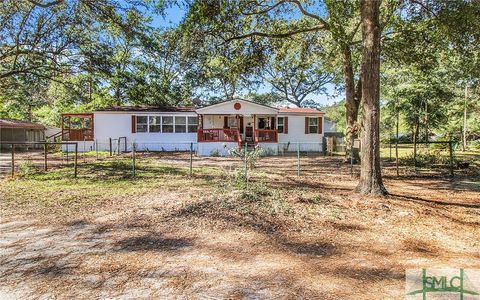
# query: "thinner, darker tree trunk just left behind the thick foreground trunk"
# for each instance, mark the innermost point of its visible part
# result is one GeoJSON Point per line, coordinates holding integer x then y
{"type": "Point", "coordinates": [351, 103]}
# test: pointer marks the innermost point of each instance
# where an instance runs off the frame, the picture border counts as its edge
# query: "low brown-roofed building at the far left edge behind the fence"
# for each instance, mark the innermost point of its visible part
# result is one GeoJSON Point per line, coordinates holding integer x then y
{"type": "Point", "coordinates": [19, 132]}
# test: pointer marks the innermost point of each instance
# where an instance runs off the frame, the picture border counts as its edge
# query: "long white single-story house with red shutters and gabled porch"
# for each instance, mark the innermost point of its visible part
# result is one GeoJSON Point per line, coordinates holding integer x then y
{"type": "Point", "coordinates": [210, 130]}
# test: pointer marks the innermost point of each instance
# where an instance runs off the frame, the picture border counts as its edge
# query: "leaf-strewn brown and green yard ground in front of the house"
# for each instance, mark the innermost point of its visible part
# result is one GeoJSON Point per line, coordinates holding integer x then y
{"type": "Point", "coordinates": [211, 235]}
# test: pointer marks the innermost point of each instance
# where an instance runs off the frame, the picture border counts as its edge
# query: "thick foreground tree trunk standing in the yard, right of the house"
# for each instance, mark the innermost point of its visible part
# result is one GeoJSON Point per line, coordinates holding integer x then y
{"type": "Point", "coordinates": [370, 172]}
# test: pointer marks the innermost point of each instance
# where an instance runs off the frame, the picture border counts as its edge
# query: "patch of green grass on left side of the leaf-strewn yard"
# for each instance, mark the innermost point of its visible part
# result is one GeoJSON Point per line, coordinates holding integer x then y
{"type": "Point", "coordinates": [99, 182]}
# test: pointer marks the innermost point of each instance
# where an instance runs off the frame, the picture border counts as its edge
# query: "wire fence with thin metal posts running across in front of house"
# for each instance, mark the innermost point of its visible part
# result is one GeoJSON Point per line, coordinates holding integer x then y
{"type": "Point", "coordinates": [132, 159]}
